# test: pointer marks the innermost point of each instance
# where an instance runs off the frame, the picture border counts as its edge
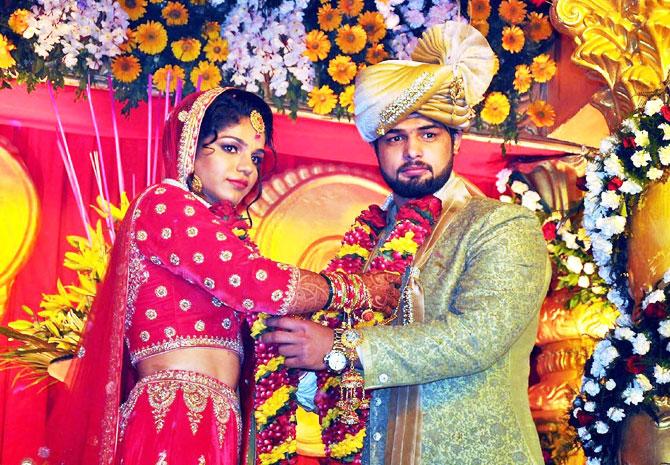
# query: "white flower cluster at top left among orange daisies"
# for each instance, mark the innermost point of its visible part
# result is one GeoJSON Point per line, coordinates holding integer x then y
{"type": "Point", "coordinates": [87, 33]}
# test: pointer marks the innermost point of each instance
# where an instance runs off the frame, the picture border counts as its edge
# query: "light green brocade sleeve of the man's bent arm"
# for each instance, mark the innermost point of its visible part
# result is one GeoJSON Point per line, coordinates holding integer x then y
{"type": "Point", "coordinates": [497, 294]}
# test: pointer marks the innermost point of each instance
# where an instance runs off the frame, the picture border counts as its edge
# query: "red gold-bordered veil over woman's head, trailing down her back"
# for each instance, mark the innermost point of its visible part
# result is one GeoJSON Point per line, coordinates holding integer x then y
{"type": "Point", "coordinates": [83, 425]}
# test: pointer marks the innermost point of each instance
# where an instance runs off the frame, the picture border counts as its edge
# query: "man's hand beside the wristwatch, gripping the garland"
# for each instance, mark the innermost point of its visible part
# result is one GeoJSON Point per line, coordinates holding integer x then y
{"type": "Point", "coordinates": [303, 342]}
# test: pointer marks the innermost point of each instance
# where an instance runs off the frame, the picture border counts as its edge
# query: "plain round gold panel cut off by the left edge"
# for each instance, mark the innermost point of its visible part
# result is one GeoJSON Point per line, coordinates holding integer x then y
{"type": "Point", "coordinates": [19, 220]}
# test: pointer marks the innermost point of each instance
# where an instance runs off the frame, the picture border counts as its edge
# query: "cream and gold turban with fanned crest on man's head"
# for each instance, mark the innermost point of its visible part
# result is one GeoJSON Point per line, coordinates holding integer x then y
{"type": "Point", "coordinates": [451, 68]}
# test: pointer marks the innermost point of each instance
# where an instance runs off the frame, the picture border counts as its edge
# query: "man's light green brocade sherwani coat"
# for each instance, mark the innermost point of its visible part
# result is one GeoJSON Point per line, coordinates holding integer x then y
{"type": "Point", "coordinates": [483, 286]}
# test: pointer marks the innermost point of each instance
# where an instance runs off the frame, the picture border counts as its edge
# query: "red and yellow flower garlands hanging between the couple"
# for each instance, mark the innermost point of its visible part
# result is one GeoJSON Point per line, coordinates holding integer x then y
{"type": "Point", "coordinates": [344, 443]}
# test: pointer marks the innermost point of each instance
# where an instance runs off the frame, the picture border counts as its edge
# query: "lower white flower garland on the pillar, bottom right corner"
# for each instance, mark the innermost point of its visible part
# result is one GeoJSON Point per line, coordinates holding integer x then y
{"type": "Point", "coordinates": [628, 370]}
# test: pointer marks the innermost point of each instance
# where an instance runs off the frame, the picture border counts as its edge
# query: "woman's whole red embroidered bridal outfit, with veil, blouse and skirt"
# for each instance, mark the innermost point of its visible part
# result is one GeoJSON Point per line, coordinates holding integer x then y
{"type": "Point", "coordinates": [178, 273]}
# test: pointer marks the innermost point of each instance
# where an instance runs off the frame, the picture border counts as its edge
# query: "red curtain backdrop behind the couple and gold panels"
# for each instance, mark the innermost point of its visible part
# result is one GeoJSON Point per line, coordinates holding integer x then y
{"type": "Point", "coordinates": [28, 122]}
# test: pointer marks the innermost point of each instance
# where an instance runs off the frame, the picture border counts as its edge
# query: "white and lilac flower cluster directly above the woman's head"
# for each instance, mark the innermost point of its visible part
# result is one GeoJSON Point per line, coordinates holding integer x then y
{"type": "Point", "coordinates": [266, 49]}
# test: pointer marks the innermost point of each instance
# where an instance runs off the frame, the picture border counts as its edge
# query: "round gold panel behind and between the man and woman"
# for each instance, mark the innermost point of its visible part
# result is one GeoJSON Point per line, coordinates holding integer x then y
{"type": "Point", "coordinates": [303, 213]}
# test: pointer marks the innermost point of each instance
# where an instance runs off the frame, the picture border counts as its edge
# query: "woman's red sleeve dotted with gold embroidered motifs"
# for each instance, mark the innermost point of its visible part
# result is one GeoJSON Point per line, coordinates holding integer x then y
{"type": "Point", "coordinates": [175, 230]}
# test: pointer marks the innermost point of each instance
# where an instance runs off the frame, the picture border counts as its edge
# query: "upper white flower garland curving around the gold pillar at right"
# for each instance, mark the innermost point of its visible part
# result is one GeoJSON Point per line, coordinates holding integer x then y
{"type": "Point", "coordinates": [636, 156]}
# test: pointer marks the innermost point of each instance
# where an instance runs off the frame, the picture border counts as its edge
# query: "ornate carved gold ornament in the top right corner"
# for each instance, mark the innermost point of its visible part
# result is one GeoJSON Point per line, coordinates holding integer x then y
{"type": "Point", "coordinates": [624, 42]}
